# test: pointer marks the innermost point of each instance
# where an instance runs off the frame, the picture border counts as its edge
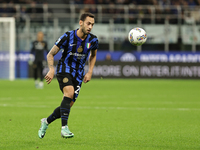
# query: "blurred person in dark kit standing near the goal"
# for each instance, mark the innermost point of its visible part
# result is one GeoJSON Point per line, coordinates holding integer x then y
{"type": "Point", "coordinates": [37, 59]}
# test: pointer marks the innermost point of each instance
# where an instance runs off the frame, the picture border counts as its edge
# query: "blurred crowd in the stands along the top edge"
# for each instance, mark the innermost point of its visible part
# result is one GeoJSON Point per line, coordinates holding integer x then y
{"type": "Point", "coordinates": [8, 8]}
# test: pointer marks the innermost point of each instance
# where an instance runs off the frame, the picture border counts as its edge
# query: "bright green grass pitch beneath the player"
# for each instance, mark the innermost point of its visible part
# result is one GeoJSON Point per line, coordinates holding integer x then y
{"type": "Point", "coordinates": [109, 114]}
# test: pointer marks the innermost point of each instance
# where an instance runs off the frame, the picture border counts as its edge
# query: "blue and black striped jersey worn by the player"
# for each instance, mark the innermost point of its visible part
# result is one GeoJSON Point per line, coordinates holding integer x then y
{"type": "Point", "coordinates": [75, 53]}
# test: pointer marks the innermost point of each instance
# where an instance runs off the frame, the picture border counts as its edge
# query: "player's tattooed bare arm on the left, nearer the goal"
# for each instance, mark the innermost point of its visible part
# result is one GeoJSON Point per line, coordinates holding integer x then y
{"type": "Point", "coordinates": [50, 60]}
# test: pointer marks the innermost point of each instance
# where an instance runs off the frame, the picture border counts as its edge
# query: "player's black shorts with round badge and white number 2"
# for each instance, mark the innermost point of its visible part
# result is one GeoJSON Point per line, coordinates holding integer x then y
{"type": "Point", "coordinates": [66, 80]}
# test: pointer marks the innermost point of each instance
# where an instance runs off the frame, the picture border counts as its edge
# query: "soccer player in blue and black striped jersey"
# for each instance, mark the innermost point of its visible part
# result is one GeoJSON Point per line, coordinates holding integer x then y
{"type": "Point", "coordinates": [76, 45]}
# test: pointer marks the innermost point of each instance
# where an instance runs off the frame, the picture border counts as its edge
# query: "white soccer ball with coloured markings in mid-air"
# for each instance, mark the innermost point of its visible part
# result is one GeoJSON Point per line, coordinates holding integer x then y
{"type": "Point", "coordinates": [137, 36]}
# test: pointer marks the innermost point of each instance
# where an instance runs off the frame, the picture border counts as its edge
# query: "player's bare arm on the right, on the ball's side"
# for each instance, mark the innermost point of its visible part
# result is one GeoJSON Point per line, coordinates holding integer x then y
{"type": "Point", "coordinates": [91, 62]}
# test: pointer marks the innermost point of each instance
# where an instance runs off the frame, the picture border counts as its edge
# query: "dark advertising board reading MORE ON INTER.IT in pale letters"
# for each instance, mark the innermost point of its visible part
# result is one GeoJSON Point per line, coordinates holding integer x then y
{"type": "Point", "coordinates": [146, 70]}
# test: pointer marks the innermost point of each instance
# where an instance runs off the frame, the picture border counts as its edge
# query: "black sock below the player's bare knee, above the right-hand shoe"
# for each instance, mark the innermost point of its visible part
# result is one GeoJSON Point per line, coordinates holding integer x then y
{"type": "Point", "coordinates": [65, 110]}
